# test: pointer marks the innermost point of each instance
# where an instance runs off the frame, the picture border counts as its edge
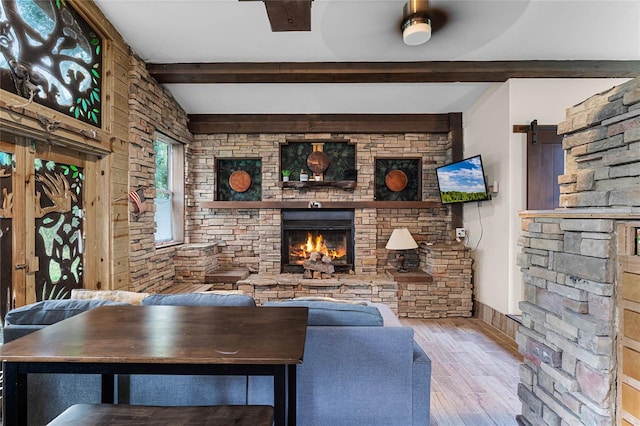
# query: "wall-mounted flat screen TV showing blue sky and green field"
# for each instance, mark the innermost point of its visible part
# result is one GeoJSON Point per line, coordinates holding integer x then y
{"type": "Point", "coordinates": [462, 181]}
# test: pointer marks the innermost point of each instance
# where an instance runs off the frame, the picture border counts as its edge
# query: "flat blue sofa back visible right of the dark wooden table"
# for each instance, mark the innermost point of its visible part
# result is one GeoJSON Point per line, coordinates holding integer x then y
{"type": "Point", "coordinates": [356, 376]}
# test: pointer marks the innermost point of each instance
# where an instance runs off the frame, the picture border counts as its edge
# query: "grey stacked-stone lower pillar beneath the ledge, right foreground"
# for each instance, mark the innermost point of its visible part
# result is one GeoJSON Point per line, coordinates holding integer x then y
{"type": "Point", "coordinates": [568, 332]}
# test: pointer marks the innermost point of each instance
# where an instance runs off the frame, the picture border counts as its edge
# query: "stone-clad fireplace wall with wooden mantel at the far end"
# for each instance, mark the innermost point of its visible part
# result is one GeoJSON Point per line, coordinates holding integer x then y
{"type": "Point", "coordinates": [251, 234]}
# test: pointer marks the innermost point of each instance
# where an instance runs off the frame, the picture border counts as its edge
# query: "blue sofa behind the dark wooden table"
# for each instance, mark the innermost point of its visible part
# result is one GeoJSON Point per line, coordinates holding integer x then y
{"type": "Point", "coordinates": [361, 366]}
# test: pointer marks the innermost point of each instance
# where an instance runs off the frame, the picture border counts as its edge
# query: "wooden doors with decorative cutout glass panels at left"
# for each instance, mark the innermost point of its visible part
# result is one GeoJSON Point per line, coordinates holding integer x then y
{"type": "Point", "coordinates": [42, 247]}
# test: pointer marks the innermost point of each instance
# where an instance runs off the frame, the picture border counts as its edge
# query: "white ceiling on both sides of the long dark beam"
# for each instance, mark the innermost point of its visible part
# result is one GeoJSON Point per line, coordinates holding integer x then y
{"type": "Point", "coordinates": [169, 31]}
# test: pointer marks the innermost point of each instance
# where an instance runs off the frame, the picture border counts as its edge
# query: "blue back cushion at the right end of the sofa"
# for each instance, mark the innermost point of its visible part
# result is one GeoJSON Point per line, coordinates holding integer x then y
{"type": "Point", "coordinates": [336, 313]}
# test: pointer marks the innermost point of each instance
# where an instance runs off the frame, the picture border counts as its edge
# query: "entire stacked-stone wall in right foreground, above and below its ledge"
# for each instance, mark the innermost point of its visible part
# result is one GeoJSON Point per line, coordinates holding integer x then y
{"type": "Point", "coordinates": [569, 265]}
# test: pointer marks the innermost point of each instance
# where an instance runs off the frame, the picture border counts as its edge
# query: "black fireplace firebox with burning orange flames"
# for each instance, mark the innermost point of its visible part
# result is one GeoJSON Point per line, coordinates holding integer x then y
{"type": "Point", "coordinates": [326, 231]}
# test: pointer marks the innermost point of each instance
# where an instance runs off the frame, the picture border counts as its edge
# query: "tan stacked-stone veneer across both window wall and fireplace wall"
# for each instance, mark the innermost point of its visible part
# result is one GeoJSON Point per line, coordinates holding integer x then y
{"type": "Point", "coordinates": [252, 237]}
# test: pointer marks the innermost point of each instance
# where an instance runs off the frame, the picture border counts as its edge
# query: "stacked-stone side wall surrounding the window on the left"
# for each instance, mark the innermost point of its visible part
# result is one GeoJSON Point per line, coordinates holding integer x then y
{"type": "Point", "coordinates": [151, 109]}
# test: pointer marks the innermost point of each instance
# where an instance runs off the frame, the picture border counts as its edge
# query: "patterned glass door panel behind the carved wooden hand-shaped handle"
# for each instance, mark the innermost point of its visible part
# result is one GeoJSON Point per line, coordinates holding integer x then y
{"type": "Point", "coordinates": [59, 229]}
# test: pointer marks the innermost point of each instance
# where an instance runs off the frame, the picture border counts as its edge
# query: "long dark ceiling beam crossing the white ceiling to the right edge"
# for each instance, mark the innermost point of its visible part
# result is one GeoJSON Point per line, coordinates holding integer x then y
{"type": "Point", "coordinates": [387, 72]}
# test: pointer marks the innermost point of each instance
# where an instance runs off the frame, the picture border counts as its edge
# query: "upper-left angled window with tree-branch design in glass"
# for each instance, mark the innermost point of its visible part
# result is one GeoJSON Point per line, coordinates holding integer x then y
{"type": "Point", "coordinates": [50, 54]}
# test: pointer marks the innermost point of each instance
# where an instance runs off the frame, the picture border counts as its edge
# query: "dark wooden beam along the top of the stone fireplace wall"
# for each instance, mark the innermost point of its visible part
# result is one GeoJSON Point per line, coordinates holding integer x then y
{"type": "Point", "coordinates": [320, 123]}
